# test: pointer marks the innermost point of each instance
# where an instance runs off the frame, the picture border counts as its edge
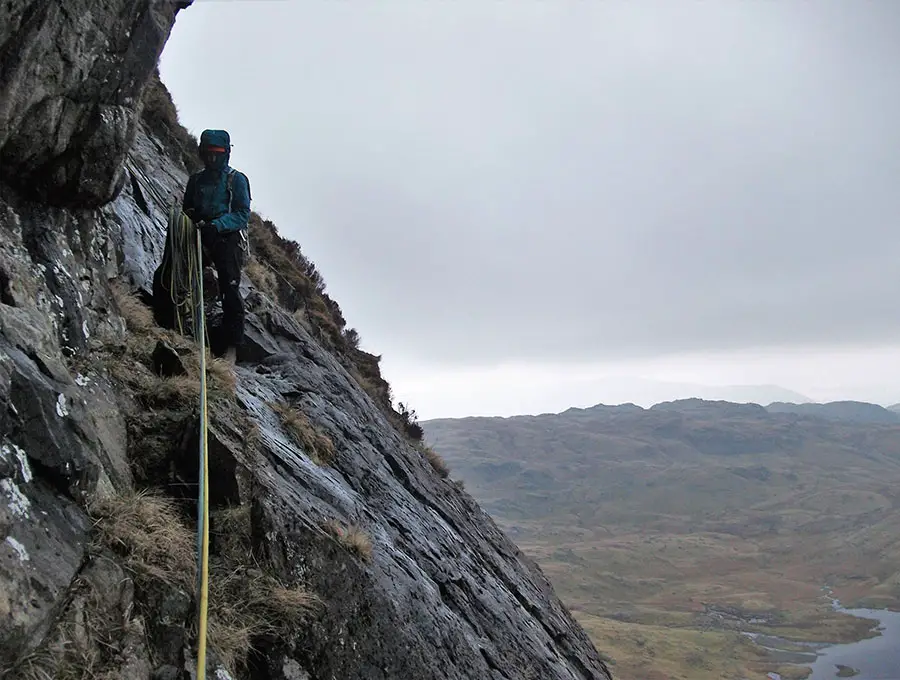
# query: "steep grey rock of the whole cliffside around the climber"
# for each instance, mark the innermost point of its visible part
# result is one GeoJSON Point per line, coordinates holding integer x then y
{"type": "Point", "coordinates": [443, 595]}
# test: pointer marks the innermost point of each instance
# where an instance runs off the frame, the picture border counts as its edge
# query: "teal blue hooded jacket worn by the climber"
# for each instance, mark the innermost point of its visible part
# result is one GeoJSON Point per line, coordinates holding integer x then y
{"type": "Point", "coordinates": [206, 197]}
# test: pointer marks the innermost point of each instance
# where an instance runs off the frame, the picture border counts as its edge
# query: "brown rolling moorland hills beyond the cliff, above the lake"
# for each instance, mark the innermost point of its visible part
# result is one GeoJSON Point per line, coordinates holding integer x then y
{"type": "Point", "coordinates": [663, 515]}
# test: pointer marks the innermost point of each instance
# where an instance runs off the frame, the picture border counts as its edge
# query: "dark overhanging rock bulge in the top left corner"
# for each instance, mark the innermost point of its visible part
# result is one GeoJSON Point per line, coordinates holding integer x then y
{"type": "Point", "coordinates": [71, 76]}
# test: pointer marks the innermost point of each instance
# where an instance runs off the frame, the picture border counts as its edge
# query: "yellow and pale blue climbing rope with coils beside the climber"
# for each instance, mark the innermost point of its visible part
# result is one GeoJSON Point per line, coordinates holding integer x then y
{"type": "Point", "coordinates": [182, 276]}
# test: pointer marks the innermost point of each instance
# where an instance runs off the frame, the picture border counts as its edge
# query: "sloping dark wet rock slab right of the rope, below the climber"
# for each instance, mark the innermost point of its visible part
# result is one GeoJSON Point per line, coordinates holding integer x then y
{"type": "Point", "coordinates": [445, 586]}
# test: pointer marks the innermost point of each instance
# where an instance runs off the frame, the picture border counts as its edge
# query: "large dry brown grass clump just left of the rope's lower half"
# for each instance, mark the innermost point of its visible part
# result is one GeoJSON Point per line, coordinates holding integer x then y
{"type": "Point", "coordinates": [147, 530]}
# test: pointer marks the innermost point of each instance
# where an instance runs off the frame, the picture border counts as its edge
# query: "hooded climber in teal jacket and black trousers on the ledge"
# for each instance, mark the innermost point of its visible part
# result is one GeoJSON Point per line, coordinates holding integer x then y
{"type": "Point", "coordinates": [217, 199]}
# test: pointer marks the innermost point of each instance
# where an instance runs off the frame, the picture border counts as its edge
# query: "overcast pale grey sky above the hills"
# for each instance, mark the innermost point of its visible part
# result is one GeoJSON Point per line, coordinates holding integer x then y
{"type": "Point", "coordinates": [526, 206]}
